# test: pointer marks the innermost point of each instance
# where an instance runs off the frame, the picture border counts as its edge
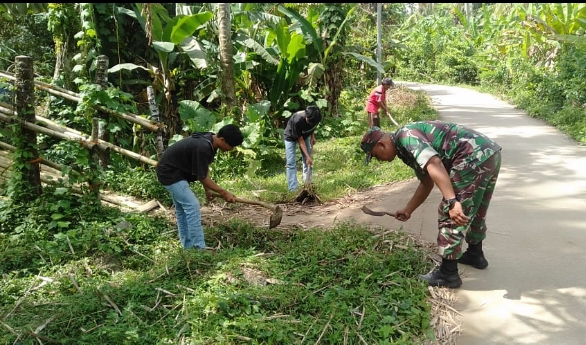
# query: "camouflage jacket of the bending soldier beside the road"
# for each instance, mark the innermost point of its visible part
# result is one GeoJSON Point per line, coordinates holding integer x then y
{"type": "Point", "coordinates": [459, 148]}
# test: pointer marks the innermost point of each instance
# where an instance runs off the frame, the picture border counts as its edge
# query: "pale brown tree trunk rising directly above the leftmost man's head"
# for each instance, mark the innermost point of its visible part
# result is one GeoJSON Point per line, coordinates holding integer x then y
{"type": "Point", "coordinates": [226, 55]}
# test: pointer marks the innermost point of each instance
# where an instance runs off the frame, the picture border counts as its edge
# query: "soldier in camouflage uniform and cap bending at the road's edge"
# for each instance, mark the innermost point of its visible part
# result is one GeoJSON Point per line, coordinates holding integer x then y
{"type": "Point", "coordinates": [464, 164]}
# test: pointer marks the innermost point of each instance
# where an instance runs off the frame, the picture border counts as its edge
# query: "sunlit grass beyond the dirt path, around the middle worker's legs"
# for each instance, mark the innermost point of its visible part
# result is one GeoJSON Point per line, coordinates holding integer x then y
{"type": "Point", "coordinates": [339, 162]}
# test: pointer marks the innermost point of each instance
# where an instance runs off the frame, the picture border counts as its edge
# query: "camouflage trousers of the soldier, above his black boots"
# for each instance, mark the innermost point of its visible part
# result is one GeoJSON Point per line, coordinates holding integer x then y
{"type": "Point", "coordinates": [474, 189]}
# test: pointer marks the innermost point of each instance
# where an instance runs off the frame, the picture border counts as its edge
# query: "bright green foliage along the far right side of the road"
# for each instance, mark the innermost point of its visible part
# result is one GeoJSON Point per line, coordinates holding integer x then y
{"type": "Point", "coordinates": [531, 54]}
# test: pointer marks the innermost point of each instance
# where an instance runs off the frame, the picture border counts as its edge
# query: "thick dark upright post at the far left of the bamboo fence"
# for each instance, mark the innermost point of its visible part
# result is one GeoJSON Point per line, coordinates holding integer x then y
{"type": "Point", "coordinates": [25, 110]}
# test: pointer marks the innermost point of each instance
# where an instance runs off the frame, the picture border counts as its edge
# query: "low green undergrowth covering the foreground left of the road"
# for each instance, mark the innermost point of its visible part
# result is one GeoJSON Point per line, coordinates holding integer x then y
{"type": "Point", "coordinates": [139, 289]}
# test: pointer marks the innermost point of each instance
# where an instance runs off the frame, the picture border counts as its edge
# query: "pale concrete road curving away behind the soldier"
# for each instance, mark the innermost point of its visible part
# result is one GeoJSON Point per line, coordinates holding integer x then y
{"type": "Point", "coordinates": [534, 289]}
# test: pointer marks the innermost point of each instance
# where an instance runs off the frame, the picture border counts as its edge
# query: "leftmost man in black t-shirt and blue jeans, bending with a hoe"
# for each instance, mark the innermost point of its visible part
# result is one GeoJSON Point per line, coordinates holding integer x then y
{"type": "Point", "coordinates": [186, 161]}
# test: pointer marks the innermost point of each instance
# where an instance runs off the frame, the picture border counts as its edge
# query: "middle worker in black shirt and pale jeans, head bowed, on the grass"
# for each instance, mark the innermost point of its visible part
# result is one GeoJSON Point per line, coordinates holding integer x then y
{"type": "Point", "coordinates": [300, 130]}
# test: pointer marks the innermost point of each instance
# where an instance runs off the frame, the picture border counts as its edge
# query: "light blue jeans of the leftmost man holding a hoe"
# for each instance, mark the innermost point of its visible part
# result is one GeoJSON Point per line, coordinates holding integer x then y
{"type": "Point", "coordinates": [188, 215]}
